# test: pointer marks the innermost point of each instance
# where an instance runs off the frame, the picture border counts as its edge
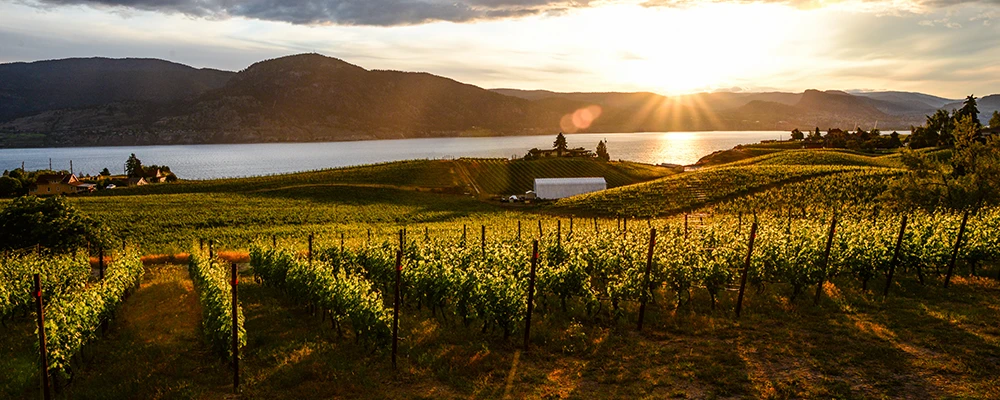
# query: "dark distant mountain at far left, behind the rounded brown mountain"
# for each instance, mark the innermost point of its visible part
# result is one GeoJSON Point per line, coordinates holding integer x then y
{"type": "Point", "coordinates": [31, 88]}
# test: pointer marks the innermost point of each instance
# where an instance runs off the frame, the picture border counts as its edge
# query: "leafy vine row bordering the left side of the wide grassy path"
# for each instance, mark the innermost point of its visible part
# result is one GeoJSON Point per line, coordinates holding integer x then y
{"type": "Point", "coordinates": [73, 318]}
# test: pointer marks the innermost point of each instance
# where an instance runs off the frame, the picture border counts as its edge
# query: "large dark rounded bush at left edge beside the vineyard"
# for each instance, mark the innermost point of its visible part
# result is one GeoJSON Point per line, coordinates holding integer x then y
{"type": "Point", "coordinates": [52, 223]}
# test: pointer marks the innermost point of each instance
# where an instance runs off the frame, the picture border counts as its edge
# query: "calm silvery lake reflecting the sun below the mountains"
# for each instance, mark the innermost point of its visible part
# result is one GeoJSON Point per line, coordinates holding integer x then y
{"type": "Point", "coordinates": [239, 160]}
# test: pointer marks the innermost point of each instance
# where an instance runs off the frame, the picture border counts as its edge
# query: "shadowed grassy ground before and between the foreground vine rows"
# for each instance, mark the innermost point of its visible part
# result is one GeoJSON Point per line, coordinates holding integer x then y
{"type": "Point", "coordinates": [920, 342]}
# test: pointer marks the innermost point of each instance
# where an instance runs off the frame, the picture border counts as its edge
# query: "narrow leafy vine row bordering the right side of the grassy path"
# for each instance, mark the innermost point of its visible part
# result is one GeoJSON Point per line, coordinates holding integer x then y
{"type": "Point", "coordinates": [212, 281]}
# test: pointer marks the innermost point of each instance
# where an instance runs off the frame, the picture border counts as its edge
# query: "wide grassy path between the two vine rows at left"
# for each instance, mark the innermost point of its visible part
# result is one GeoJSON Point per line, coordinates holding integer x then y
{"type": "Point", "coordinates": [154, 347]}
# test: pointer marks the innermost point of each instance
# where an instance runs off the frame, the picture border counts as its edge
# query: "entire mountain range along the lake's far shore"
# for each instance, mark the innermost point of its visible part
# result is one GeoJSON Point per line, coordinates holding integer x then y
{"type": "Point", "coordinates": [309, 97]}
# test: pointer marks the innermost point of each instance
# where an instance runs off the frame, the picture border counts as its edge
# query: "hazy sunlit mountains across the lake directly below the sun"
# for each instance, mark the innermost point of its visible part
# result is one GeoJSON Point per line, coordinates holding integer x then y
{"type": "Point", "coordinates": [738, 111]}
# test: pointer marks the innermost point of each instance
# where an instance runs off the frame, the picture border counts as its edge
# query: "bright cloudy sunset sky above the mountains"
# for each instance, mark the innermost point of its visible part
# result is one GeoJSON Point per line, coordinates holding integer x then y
{"type": "Point", "coordinates": [949, 48]}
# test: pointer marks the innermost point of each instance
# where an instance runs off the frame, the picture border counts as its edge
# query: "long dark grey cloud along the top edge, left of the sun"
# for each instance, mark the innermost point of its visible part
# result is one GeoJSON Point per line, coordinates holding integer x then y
{"type": "Point", "coordinates": [341, 12]}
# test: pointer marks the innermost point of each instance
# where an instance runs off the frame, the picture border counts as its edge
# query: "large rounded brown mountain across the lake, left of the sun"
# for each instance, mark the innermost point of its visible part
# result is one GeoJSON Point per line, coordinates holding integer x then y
{"type": "Point", "coordinates": [305, 97]}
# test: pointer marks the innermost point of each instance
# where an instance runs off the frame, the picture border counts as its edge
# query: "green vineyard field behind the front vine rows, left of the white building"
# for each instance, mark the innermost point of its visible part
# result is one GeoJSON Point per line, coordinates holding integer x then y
{"type": "Point", "coordinates": [166, 218]}
